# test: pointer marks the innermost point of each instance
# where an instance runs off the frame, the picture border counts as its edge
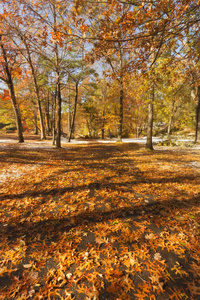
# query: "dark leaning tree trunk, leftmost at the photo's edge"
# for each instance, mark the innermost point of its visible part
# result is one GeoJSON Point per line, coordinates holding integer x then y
{"type": "Point", "coordinates": [10, 85]}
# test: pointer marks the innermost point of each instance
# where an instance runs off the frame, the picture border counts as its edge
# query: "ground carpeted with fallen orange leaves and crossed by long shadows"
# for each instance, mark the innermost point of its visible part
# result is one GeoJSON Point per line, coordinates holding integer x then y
{"type": "Point", "coordinates": [98, 221]}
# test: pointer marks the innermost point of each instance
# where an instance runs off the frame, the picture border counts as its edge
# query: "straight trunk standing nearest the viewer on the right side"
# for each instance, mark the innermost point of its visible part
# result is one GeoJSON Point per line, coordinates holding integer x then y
{"type": "Point", "coordinates": [149, 144]}
